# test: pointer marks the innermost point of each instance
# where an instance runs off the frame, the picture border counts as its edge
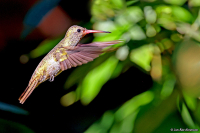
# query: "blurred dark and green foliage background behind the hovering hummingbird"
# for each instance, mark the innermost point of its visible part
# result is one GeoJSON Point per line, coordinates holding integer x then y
{"type": "Point", "coordinates": [151, 84]}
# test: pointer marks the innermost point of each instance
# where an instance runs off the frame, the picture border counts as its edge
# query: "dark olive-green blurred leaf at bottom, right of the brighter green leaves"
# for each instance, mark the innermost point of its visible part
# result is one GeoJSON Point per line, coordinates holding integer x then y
{"type": "Point", "coordinates": [155, 115]}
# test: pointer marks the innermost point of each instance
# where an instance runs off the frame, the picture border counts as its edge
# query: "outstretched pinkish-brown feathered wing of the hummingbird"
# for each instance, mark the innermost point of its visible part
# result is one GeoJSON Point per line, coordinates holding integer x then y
{"type": "Point", "coordinates": [83, 53]}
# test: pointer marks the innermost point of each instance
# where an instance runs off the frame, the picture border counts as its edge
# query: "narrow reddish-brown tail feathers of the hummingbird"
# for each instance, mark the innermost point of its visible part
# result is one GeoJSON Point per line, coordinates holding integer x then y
{"type": "Point", "coordinates": [32, 85]}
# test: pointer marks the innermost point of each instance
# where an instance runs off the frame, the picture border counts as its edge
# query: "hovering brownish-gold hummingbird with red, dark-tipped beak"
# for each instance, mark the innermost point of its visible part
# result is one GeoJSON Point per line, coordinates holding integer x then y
{"type": "Point", "coordinates": [66, 54]}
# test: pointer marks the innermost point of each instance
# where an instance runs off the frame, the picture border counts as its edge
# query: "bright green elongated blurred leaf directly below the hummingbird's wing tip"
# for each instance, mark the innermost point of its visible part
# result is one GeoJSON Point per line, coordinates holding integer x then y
{"type": "Point", "coordinates": [96, 78]}
